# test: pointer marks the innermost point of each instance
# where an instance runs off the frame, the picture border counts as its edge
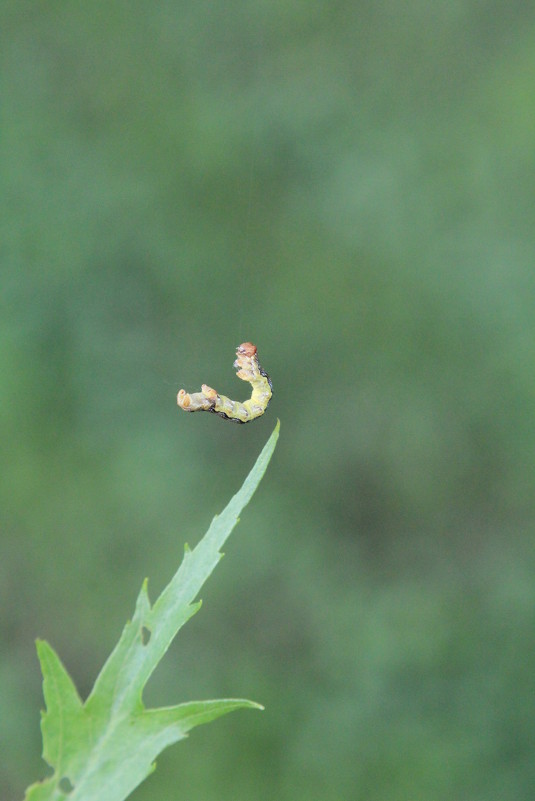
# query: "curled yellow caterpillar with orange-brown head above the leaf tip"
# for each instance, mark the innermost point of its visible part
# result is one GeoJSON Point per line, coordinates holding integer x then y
{"type": "Point", "coordinates": [208, 400]}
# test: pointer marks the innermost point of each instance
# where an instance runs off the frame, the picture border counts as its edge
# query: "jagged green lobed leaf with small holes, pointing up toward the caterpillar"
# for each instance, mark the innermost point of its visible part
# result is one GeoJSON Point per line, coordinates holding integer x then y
{"type": "Point", "coordinates": [104, 748]}
